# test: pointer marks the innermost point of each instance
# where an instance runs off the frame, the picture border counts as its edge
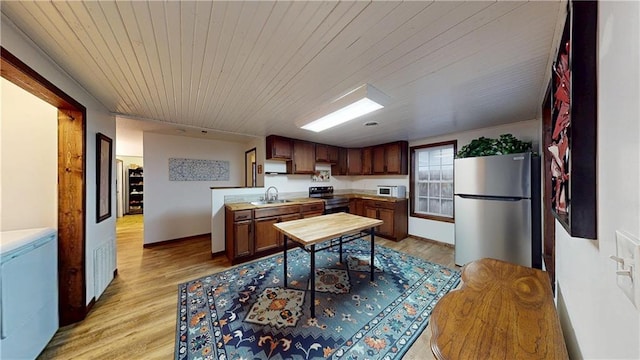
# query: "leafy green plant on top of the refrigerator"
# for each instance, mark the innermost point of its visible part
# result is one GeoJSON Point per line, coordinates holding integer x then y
{"type": "Point", "coordinates": [505, 144]}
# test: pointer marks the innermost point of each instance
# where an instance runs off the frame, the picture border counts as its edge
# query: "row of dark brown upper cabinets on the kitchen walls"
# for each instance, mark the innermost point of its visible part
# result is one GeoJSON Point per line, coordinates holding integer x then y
{"type": "Point", "coordinates": [302, 156]}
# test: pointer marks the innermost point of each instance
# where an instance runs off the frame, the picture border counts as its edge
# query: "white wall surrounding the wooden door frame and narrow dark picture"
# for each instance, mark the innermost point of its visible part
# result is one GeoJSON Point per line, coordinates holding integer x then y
{"type": "Point", "coordinates": [98, 120]}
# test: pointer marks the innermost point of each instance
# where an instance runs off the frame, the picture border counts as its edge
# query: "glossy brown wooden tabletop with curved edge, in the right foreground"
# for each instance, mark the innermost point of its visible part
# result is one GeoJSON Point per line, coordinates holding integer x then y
{"type": "Point", "coordinates": [502, 311]}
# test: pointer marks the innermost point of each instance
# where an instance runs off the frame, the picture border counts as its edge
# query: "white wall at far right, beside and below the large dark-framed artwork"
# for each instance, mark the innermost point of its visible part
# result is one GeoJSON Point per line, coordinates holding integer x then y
{"type": "Point", "coordinates": [598, 320]}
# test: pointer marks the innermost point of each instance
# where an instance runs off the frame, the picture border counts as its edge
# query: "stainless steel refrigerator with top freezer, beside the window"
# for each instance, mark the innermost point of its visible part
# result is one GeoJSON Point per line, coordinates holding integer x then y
{"type": "Point", "coordinates": [497, 209]}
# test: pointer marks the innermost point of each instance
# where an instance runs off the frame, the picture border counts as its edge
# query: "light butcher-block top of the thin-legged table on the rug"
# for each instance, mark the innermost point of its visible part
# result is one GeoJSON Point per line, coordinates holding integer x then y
{"type": "Point", "coordinates": [317, 229]}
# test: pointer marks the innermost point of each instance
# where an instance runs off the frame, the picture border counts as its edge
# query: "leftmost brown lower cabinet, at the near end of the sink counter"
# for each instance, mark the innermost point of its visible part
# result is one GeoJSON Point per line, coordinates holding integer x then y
{"type": "Point", "coordinates": [238, 234]}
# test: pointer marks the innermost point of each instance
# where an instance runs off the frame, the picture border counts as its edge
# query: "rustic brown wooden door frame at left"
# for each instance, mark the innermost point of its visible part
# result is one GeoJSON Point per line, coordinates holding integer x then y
{"type": "Point", "coordinates": [72, 282]}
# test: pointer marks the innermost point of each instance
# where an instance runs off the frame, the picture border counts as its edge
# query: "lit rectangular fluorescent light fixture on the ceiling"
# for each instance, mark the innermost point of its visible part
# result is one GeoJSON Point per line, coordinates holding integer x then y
{"type": "Point", "coordinates": [358, 102]}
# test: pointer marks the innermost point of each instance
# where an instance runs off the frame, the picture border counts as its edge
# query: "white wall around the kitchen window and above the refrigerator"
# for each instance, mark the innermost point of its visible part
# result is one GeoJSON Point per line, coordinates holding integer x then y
{"type": "Point", "coordinates": [442, 231]}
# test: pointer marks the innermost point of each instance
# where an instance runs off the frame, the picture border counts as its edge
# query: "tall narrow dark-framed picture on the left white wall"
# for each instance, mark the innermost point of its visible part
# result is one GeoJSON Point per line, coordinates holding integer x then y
{"type": "Point", "coordinates": [103, 176]}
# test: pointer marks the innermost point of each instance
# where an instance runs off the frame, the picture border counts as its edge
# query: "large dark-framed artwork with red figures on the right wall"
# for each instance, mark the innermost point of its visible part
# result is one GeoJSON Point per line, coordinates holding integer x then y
{"type": "Point", "coordinates": [573, 122]}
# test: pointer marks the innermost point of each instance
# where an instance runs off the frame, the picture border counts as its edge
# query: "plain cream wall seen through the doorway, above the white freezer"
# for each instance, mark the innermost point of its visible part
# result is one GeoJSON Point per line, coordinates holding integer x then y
{"type": "Point", "coordinates": [29, 149]}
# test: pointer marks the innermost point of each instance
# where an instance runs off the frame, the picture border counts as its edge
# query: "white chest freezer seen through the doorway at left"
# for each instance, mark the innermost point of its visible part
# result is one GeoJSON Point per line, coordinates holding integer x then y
{"type": "Point", "coordinates": [28, 291]}
